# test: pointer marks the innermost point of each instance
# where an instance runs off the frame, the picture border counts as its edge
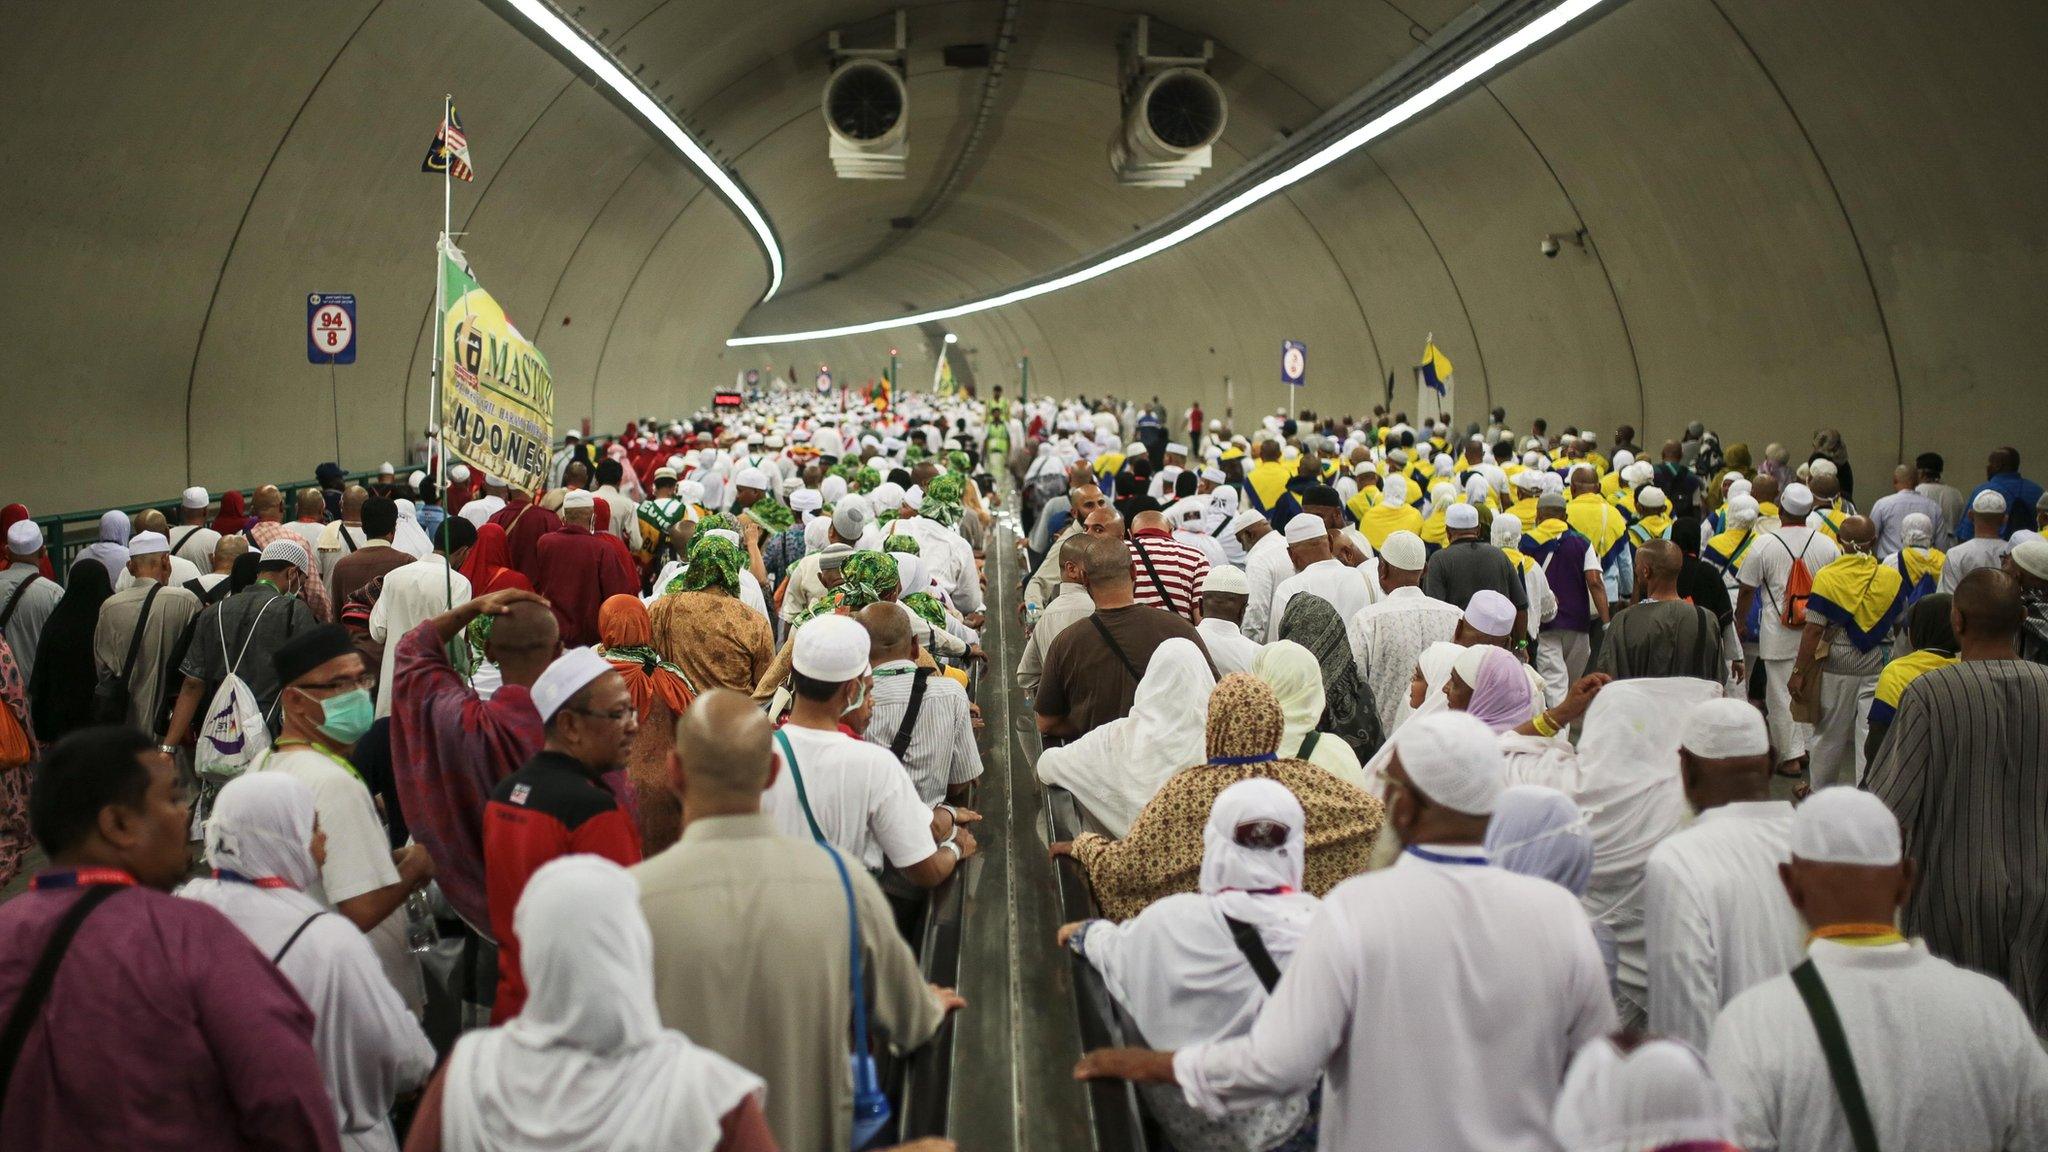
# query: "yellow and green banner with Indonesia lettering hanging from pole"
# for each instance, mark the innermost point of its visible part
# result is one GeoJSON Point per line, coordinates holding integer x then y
{"type": "Point", "coordinates": [497, 390]}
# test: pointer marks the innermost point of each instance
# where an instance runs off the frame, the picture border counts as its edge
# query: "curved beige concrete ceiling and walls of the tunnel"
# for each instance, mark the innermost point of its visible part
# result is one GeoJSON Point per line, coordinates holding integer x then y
{"type": "Point", "coordinates": [1797, 216]}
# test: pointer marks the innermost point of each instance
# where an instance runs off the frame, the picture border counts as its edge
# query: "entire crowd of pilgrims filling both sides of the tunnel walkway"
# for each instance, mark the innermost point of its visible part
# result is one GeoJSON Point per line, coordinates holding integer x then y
{"type": "Point", "coordinates": [1435, 786]}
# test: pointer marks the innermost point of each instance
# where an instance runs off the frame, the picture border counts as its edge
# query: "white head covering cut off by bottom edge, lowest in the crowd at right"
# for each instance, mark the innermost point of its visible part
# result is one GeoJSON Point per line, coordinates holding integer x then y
{"type": "Point", "coordinates": [1658, 1096]}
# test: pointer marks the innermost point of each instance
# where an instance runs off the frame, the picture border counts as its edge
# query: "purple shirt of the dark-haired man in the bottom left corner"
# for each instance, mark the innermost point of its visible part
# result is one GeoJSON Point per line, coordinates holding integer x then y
{"type": "Point", "coordinates": [163, 1030]}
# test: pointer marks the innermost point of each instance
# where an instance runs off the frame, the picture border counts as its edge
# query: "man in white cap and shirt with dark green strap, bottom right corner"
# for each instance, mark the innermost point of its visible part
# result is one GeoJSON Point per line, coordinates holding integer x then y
{"type": "Point", "coordinates": [1943, 1057]}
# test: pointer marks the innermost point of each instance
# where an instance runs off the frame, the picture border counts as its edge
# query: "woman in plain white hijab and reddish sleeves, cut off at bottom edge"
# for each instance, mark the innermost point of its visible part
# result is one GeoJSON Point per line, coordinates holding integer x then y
{"type": "Point", "coordinates": [587, 1065]}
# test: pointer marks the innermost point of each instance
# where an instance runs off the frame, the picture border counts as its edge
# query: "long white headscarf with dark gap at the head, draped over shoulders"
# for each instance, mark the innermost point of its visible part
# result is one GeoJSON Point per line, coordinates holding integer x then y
{"type": "Point", "coordinates": [1175, 966]}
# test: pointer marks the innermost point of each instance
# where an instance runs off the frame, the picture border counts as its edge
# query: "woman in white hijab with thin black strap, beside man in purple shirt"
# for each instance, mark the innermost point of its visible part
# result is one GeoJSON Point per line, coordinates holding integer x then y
{"type": "Point", "coordinates": [265, 850]}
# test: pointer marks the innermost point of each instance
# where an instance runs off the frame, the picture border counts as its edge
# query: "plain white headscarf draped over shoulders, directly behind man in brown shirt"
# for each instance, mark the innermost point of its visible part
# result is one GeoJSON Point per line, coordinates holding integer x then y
{"type": "Point", "coordinates": [1119, 766]}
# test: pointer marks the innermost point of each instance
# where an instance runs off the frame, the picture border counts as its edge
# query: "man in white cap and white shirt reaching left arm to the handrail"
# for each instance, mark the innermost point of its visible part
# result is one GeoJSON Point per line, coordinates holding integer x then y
{"type": "Point", "coordinates": [1490, 983]}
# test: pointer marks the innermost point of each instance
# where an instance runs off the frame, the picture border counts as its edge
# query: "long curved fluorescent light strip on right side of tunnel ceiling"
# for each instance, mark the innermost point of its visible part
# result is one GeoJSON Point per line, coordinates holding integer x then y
{"type": "Point", "coordinates": [1365, 134]}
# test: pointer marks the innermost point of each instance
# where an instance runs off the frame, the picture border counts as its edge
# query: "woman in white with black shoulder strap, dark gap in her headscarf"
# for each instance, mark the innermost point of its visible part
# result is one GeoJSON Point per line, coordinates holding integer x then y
{"type": "Point", "coordinates": [1179, 971]}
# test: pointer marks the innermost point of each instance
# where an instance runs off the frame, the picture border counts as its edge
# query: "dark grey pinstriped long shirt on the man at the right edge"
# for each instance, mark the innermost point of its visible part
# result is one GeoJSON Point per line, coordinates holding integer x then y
{"type": "Point", "coordinates": [1967, 774]}
